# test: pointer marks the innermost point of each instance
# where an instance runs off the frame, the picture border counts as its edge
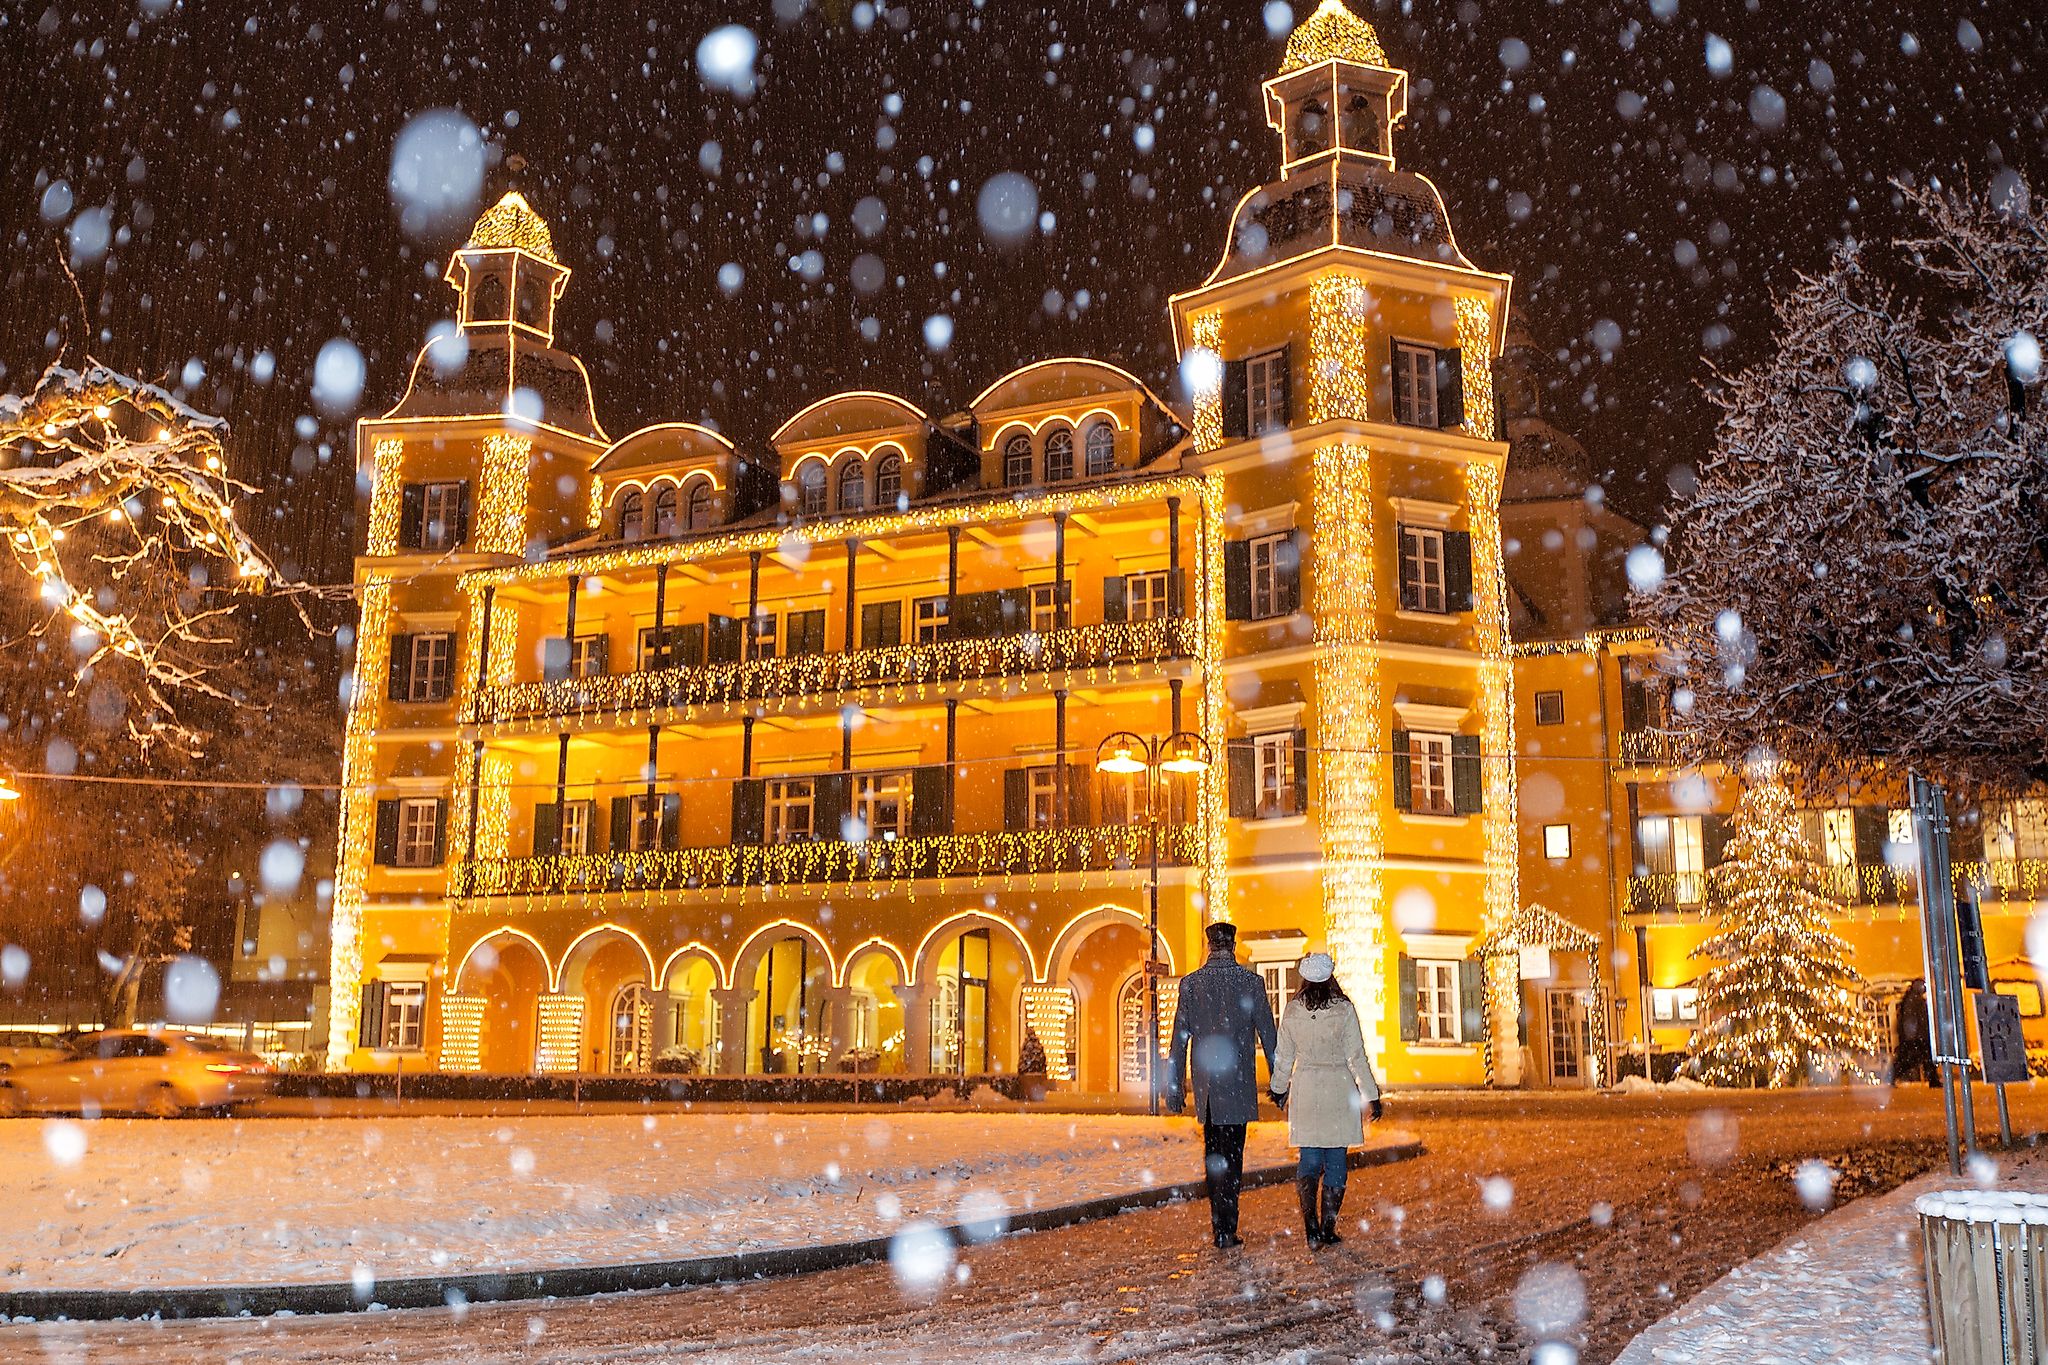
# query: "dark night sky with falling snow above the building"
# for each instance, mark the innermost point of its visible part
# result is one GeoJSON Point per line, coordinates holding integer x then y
{"type": "Point", "coordinates": [1648, 187]}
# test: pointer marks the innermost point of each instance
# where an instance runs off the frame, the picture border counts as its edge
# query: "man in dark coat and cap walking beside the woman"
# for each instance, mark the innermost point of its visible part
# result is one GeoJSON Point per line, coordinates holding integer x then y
{"type": "Point", "coordinates": [1220, 1018]}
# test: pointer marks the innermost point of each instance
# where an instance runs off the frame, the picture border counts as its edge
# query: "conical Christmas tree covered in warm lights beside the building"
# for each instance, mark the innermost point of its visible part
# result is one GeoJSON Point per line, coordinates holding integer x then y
{"type": "Point", "coordinates": [1779, 1008]}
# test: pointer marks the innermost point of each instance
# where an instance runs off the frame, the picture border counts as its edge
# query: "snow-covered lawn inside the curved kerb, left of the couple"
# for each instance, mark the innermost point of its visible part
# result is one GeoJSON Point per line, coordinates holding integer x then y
{"type": "Point", "coordinates": [126, 1204]}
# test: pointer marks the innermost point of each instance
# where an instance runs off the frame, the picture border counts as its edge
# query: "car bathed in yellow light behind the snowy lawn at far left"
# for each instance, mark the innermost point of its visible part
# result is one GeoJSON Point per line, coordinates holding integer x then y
{"type": "Point", "coordinates": [136, 1071]}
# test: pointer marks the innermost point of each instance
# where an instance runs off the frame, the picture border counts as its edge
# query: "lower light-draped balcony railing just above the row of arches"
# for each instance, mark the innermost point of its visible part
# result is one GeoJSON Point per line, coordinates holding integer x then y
{"type": "Point", "coordinates": [996, 854]}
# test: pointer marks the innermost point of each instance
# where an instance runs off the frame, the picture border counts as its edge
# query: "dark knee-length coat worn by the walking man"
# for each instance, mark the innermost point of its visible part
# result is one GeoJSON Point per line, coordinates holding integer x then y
{"type": "Point", "coordinates": [1220, 1022]}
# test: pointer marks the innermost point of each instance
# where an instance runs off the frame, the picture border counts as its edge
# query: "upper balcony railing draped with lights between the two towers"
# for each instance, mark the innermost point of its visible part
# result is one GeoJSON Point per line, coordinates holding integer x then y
{"type": "Point", "coordinates": [1082, 654]}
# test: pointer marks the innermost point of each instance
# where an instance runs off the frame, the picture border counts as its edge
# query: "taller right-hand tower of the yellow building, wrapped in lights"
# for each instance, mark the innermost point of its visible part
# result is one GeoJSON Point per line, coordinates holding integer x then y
{"type": "Point", "coordinates": [1340, 357]}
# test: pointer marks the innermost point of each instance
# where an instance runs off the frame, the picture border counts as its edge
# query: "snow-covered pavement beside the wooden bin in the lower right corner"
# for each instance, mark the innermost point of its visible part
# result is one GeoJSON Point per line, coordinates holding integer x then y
{"type": "Point", "coordinates": [1846, 1290]}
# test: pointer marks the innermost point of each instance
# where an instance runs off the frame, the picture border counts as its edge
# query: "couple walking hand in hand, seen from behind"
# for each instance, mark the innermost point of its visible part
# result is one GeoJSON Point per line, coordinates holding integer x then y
{"type": "Point", "coordinates": [1318, 1065]}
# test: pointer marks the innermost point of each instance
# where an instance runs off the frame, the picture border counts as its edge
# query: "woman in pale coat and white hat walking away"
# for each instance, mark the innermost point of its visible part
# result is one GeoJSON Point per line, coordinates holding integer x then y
{"type": "Point", "coordinates": [1326, 1084]}
